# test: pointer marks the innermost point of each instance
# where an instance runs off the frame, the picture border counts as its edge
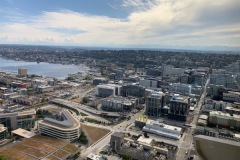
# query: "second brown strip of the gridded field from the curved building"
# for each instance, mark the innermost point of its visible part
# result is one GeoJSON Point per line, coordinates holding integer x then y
{"type": "Point", "coordinates": [40, 145]}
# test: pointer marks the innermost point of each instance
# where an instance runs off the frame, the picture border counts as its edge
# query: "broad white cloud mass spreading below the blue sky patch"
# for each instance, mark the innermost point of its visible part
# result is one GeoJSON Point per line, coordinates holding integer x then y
{"type": "Point", "coordinates": [151, 23]}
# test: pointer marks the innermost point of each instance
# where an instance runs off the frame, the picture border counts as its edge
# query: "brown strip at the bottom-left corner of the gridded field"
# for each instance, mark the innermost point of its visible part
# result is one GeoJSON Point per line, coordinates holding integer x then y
{"type": "Point", "coordinates": [15, 155]}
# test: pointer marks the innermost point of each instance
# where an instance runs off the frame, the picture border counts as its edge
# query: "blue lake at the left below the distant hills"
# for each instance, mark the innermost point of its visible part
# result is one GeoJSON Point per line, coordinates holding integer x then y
{"type": "Point", "coordinates": [46, 69]}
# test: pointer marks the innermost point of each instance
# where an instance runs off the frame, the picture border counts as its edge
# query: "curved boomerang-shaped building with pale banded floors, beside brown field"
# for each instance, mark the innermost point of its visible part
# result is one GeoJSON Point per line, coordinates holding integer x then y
{"type": "Point", "coordinates": [68, 129]}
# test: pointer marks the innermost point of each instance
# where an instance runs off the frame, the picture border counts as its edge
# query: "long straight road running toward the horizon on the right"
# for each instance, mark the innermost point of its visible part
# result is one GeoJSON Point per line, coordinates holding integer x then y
{"type": "Point", "coordinates": [186, 141]}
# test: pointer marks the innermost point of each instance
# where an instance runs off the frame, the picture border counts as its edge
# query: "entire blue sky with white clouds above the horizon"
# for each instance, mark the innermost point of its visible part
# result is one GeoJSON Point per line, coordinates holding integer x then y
{"type": "Point", "coordinates": [173, 24]}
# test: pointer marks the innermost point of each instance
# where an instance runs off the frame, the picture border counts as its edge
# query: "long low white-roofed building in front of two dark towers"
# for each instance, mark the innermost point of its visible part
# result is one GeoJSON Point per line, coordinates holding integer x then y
{"type": "Point", "coordinates": [162, 129]}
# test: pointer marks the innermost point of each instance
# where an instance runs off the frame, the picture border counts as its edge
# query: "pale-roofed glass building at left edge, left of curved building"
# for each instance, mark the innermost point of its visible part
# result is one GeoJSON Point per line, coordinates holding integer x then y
{"type": "Point", "coordinates": [25, 119]}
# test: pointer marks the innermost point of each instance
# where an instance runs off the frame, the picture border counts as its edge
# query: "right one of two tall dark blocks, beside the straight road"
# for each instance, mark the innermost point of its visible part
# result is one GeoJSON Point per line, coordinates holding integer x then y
{"type": "Point", "coordinates": [179, 108]}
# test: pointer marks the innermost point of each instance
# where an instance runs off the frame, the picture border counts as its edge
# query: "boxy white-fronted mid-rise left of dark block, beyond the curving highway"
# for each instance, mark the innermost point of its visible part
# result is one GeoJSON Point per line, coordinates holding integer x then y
{"type": "Point", "coordinates": [106, 90]}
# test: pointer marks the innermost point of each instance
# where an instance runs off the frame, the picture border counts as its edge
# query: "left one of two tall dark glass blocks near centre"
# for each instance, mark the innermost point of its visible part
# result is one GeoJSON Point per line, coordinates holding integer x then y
{"type": "Point", "coordinates": [154, 103]}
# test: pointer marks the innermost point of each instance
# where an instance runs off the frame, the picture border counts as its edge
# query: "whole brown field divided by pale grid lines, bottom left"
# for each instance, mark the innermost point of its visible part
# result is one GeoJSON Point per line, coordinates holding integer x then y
{"type": "Point", "coordinates": [39, 147]}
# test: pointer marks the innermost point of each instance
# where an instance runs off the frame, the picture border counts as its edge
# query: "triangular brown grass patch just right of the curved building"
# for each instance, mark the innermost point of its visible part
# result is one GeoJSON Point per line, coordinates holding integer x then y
{"type": "Point", "coordinates": [94, 133]}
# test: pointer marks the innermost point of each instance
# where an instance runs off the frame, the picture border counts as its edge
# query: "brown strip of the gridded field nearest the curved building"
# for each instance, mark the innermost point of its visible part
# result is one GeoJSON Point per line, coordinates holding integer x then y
{"type": "Point", "coordinates": [49, 140]}
